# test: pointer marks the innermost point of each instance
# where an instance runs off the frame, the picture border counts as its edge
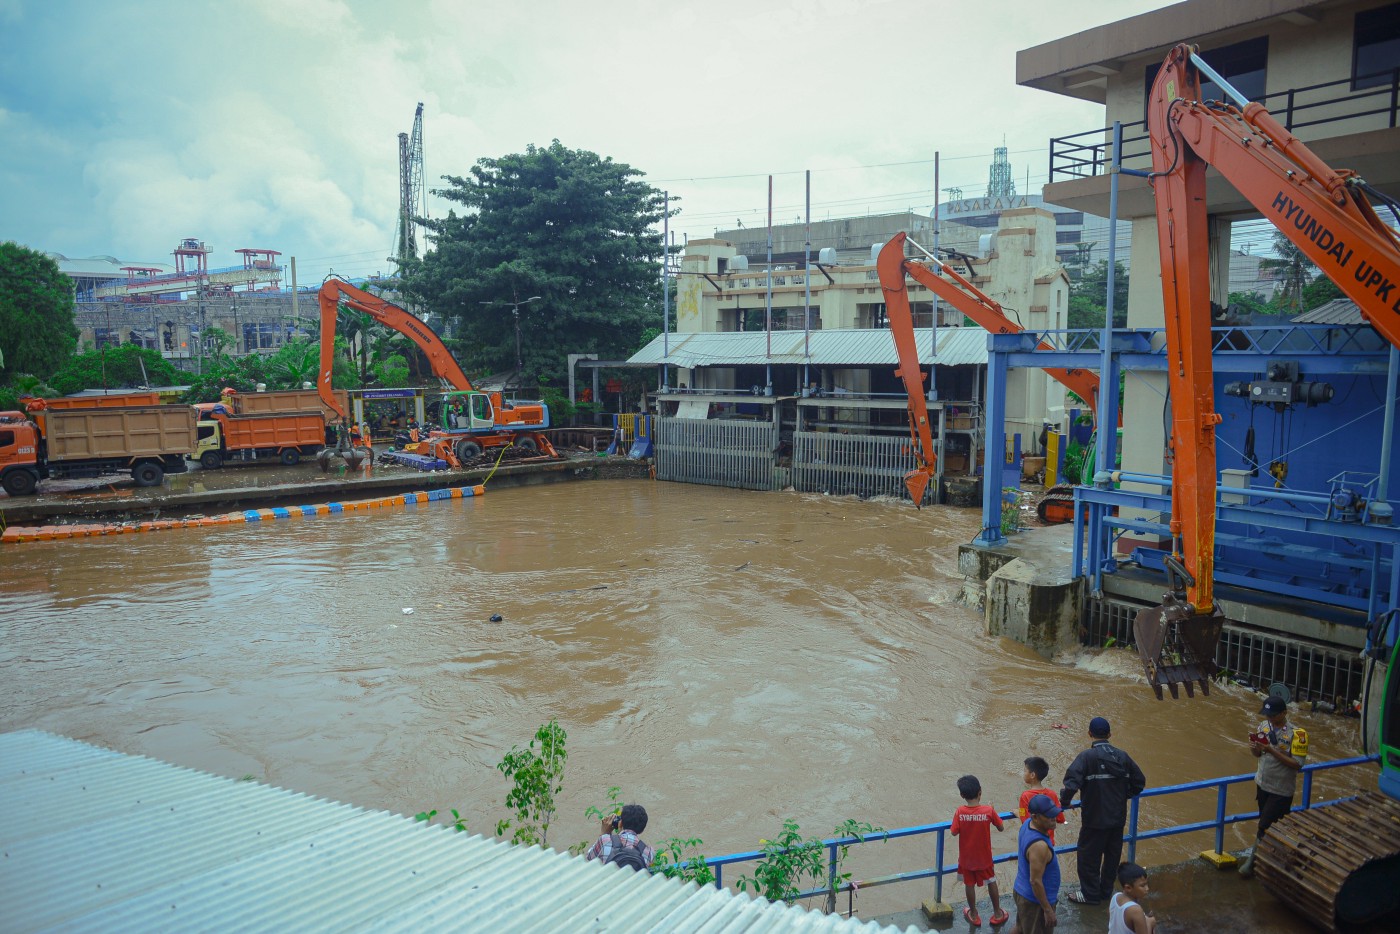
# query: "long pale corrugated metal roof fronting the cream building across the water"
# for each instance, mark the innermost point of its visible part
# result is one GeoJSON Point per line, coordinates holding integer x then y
{"type": "Point", "coordinates": [848, 347]}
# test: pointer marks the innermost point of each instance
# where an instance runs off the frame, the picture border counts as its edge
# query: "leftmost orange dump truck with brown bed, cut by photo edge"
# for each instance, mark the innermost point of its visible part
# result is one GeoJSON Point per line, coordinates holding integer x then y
{"type": "Point", "coordinates": [148, 440]}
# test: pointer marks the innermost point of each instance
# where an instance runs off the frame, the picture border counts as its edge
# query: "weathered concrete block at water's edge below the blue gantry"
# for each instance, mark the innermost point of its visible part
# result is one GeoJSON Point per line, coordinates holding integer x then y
{"type": "Point", "coordinates": [1038, 608]}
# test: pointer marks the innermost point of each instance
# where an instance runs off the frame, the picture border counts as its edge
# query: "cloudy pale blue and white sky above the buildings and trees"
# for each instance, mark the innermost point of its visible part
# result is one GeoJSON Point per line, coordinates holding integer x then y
{"type": "Point", "coordinates": [274, 124]}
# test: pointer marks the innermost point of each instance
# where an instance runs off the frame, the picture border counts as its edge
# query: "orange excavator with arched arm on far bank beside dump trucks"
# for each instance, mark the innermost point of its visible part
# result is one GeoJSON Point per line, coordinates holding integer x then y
{"type": "Point", "coordinates": [472, 422]}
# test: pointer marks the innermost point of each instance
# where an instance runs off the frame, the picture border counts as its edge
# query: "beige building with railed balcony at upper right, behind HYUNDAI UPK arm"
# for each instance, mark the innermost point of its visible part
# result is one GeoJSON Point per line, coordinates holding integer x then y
{"type": "Point", "coordinates": [1326, 71]}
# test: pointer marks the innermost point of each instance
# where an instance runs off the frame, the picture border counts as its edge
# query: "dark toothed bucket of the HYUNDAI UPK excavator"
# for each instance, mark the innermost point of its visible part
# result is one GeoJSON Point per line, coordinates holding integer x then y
{"type": "Point", "coordinates": [1178, 646]}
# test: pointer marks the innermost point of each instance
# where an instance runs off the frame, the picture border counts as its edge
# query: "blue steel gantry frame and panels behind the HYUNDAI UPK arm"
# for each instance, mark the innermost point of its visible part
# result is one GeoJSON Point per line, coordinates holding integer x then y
{"type": "Point", "coordinates": [1335, 547]}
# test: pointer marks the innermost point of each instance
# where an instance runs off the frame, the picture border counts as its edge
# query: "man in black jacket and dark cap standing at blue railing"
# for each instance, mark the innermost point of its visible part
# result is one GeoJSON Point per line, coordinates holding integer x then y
{"type": "Point", "coordinates": [1107, 778]}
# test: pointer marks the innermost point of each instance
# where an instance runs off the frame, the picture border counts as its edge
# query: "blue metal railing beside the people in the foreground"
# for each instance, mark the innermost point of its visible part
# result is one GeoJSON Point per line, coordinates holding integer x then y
{"type": "Point", "coordinates": [1133, 834]}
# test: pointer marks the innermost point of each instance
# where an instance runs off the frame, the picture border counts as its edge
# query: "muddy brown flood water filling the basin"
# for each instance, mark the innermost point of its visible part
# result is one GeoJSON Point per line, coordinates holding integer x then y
{"type": "Point", "coordinates": [729, 659]}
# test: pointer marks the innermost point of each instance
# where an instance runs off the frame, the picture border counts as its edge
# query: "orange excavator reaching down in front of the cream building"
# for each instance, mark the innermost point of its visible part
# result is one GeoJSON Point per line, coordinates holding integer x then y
{"type": "Point", "coordinates": [958, 292]}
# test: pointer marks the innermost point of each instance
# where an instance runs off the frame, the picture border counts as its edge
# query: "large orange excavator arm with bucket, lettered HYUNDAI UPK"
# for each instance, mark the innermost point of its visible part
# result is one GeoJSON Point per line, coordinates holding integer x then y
{"type": "Point", "coordinates": [1329, 216]}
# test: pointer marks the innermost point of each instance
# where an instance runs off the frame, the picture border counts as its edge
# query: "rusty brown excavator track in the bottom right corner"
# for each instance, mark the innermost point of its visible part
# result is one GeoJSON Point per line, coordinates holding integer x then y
{"type": "Point", "coordinates": [1336, 866]}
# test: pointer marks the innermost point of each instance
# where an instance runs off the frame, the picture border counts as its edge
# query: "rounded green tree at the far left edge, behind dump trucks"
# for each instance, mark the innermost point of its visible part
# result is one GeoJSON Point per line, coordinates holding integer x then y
{"type": "Point", "coordinates": [37, 328]}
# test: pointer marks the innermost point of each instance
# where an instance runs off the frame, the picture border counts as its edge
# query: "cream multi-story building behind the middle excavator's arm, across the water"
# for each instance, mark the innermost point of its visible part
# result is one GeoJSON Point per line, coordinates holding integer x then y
{"type": "Point", "coordinates": [722, 291]}
